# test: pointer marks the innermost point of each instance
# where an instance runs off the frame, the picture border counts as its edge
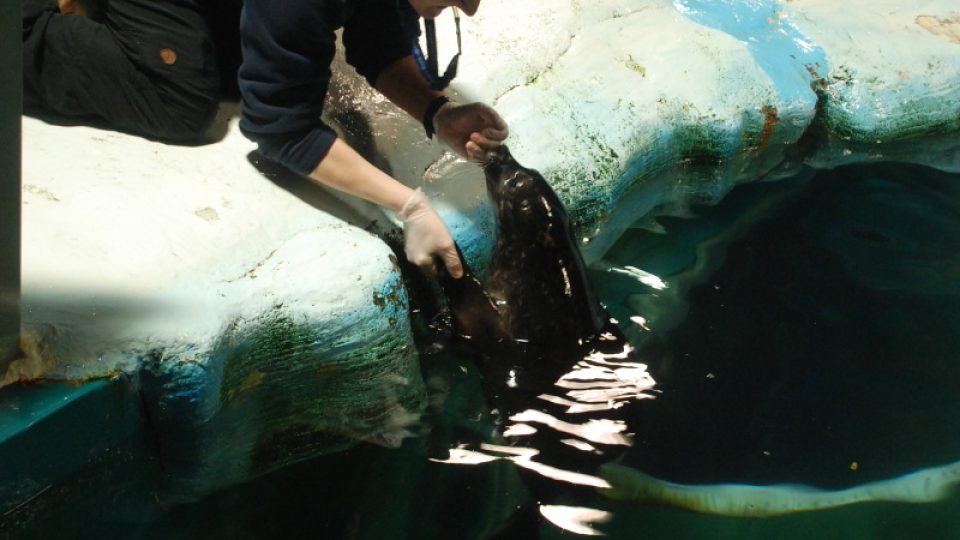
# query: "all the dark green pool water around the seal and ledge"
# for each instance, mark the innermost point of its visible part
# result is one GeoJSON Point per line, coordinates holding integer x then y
{"type": "Point", "coordinates": [820, 329]}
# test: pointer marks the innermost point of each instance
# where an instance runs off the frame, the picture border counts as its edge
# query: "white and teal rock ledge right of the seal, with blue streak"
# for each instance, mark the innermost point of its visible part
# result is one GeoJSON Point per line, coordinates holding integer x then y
{"type": "Point", "coordinates": [647, 106]}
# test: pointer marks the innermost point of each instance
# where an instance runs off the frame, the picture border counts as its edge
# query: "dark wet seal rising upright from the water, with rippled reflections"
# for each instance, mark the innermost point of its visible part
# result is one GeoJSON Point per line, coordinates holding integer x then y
{"type": "Point", "coordinates": [556, 370]}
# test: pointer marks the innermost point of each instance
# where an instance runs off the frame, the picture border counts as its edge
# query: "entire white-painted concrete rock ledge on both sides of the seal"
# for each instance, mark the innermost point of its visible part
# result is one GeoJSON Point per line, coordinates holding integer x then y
{"type": "Point", "coordinates": [265, 328]}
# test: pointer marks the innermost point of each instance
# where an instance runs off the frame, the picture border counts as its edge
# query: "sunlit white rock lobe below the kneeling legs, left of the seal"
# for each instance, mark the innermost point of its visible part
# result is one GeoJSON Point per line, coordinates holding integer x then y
{"type": "Point", "coordinates": [260, 329]}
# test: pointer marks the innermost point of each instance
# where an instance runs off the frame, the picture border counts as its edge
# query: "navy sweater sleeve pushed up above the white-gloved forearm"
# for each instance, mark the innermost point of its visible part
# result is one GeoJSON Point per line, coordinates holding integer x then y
{"type": "Point", "coordinates": [287, 50]}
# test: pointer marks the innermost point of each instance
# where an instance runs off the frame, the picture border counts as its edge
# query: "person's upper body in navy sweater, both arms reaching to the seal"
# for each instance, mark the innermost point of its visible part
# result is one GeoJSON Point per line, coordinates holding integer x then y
{"type": "Point", "coordinates": [288, 47]}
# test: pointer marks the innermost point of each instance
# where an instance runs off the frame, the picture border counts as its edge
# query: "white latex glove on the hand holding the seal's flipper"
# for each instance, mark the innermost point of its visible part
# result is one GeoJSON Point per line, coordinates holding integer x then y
{"type": "Point", "coordinates": [426, 236]}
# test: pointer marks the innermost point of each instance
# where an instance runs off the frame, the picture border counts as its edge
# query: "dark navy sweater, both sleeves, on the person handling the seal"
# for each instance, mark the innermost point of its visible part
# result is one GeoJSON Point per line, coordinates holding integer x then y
{"type": "Point", "coordinates": [287, 50]}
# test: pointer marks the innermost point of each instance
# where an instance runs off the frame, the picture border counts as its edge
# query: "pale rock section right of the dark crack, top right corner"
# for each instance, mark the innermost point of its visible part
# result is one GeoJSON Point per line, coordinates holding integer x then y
{"type": "Point", "coordinates": [892, 67]}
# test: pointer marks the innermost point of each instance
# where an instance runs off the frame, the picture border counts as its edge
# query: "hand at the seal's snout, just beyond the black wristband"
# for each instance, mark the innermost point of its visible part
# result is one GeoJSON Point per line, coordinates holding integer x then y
{"type": "Point", "coordinates": [470, 130]}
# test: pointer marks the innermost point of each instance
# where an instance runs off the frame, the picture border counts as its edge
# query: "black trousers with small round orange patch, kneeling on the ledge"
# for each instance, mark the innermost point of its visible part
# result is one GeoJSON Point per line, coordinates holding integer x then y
{"type": "Point", "coordinates": [154, 68]}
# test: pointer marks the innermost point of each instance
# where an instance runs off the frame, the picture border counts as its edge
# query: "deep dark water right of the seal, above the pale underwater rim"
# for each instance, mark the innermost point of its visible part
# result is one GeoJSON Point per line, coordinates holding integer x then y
{"type": "Point", "coordinates": [825, 350]}
